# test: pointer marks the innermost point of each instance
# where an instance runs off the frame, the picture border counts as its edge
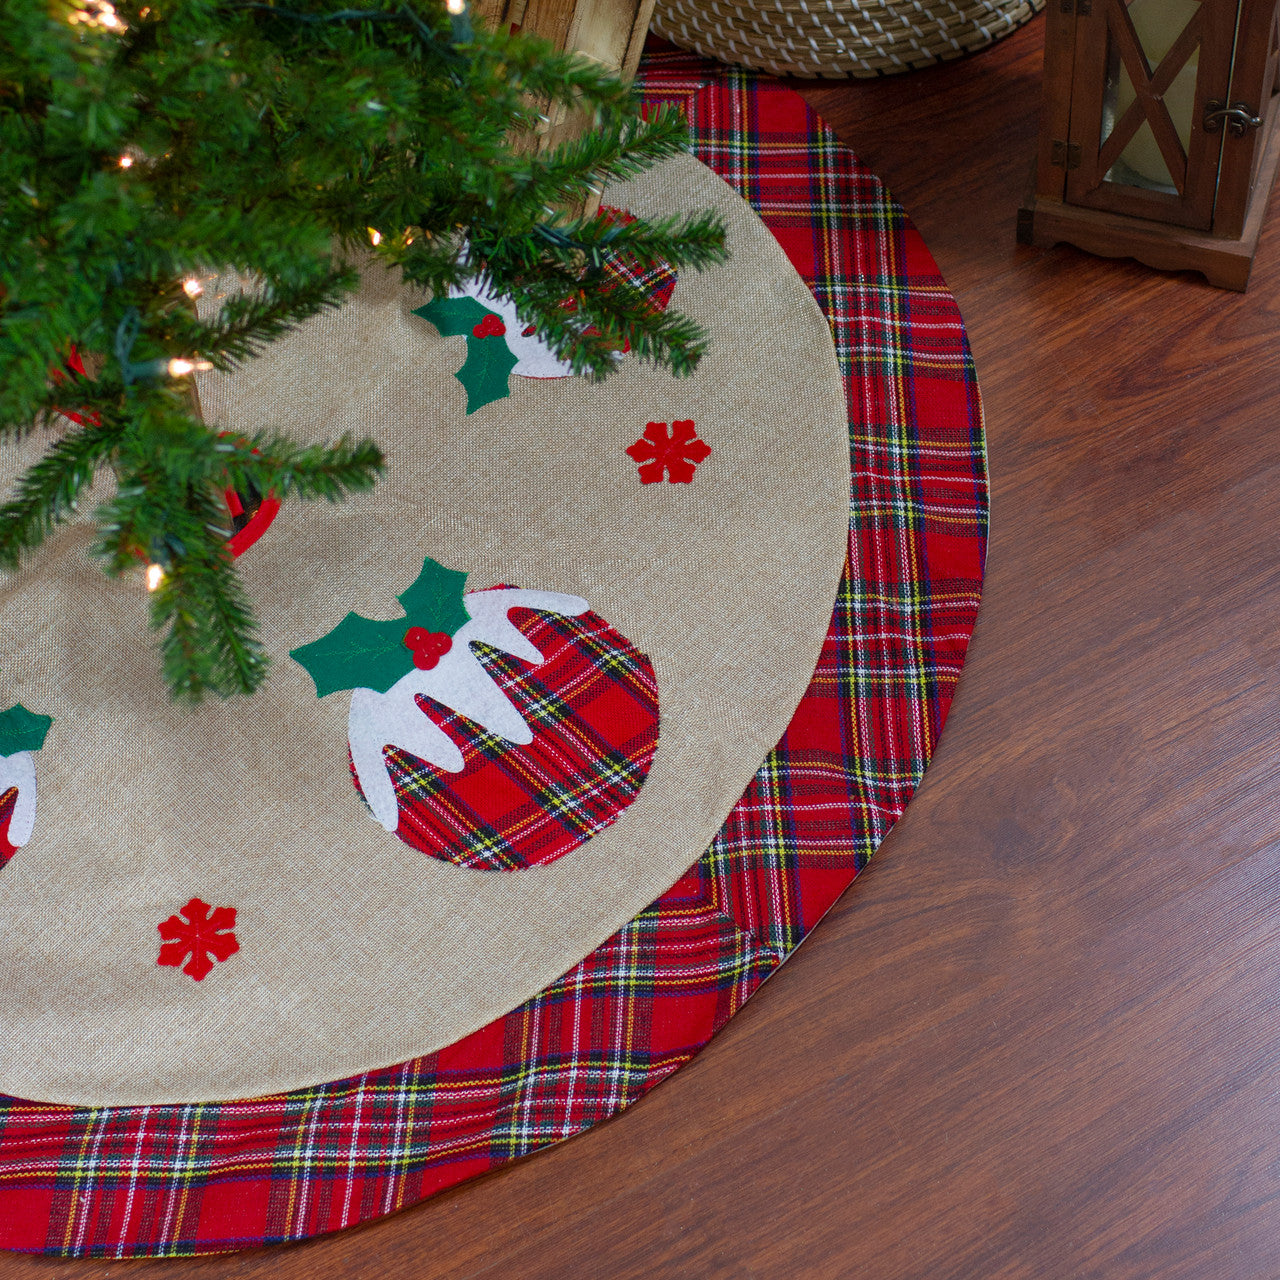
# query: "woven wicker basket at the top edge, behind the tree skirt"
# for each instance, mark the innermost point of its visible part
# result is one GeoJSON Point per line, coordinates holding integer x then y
{"type": "Point", "coordinates": [839, 38]}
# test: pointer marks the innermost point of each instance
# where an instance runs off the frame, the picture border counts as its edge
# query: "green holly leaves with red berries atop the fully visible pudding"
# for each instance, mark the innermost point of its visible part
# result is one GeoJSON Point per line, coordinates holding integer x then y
{"type": "Point", "coordinates": [364, 653]}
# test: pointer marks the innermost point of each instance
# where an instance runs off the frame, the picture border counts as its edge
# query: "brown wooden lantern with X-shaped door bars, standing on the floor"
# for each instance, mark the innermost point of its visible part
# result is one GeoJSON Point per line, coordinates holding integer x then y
{"type": "Point", "coordinates": [1159, 132]}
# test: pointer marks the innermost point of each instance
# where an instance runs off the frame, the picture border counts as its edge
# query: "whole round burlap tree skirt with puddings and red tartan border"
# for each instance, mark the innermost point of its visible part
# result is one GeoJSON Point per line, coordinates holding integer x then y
{"type": "Point", "coordinates": [493, 851]}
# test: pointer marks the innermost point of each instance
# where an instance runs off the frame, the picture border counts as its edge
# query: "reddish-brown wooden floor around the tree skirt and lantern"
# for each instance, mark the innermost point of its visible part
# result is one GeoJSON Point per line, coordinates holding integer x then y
{"type": "Point", "coordinates": [1041, 1035]}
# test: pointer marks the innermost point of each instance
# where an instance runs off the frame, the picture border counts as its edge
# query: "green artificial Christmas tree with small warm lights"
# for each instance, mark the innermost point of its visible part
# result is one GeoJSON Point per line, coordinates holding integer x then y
{"type": "Point", "coordinates": [148, 148]}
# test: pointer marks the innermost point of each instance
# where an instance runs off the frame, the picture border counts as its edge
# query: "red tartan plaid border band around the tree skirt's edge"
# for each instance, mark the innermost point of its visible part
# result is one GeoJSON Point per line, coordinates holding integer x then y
{"type": "Point", "coordinates": [139, 1182]}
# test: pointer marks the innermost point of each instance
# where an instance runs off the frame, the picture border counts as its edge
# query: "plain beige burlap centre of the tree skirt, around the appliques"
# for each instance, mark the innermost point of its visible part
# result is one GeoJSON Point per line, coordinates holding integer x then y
{"type": "Point", "coordinates": [358, 952]}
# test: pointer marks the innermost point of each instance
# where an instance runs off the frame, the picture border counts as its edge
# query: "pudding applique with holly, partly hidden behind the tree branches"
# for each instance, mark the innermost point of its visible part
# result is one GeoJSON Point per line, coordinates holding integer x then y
{"type": "Point", "coordinates": [500, 345]}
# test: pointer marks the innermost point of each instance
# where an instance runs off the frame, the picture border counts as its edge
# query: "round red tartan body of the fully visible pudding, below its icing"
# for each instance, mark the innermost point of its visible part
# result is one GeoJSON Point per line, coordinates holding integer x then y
{"type": "Point", "coordinates": [593, 708]}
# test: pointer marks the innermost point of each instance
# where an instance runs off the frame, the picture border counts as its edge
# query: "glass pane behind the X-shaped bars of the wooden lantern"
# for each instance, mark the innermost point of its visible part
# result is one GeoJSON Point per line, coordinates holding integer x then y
{"type": "Point", "coordinates": [1156, 26]}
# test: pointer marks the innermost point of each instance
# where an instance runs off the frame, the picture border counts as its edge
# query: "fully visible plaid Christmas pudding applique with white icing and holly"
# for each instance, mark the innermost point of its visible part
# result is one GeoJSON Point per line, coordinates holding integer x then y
{"type": "Point", "coordinates": [495, 730]}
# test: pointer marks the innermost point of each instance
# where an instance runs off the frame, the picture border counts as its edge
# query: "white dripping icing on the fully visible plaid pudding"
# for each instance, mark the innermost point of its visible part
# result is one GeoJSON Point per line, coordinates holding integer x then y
{"type": "Point", "coordinates": [458, 682]}
